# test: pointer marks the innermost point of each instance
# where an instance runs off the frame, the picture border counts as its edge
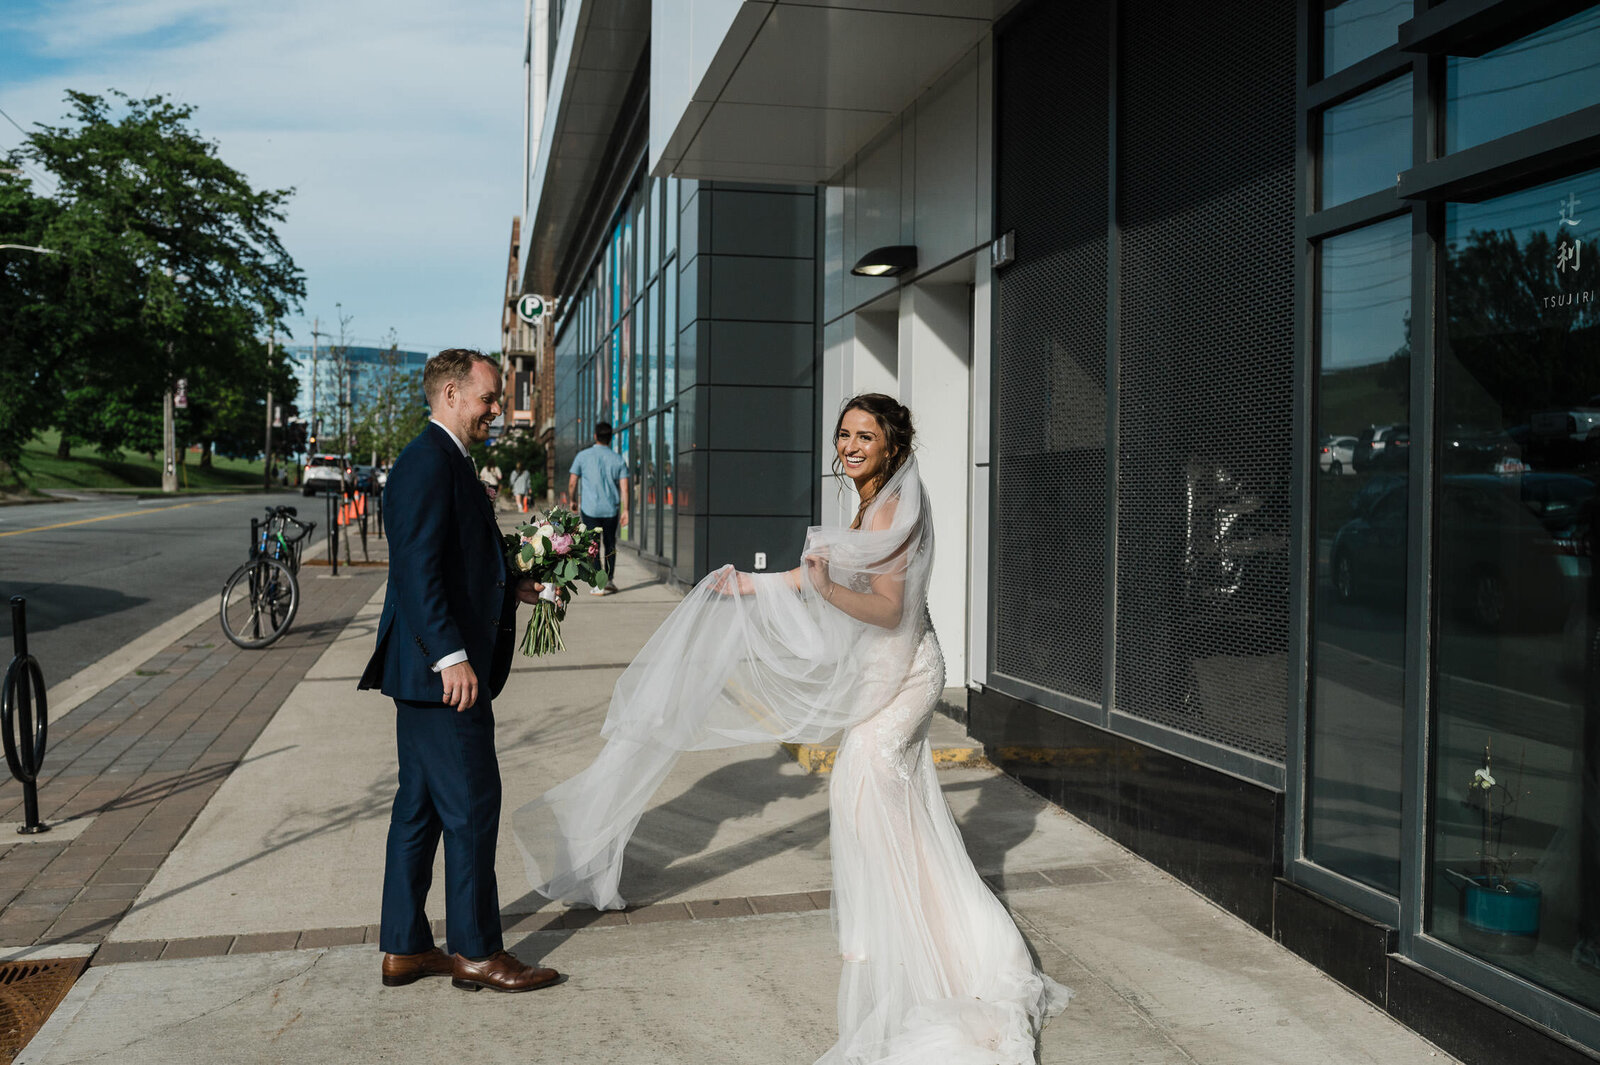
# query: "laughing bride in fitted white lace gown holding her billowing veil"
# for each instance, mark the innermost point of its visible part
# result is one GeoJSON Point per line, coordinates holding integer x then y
{"type": "Point", "coordinates": [935, 968]}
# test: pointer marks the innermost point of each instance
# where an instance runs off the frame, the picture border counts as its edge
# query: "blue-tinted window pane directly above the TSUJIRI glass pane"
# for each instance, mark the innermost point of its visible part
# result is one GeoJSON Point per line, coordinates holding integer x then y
{"type": "Point", "coordinates": [1540, 78]}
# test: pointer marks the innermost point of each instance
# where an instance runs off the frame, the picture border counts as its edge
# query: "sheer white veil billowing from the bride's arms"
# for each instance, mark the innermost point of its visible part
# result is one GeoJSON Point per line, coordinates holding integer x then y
{"type": "Point", "coordinates": [730, 669]}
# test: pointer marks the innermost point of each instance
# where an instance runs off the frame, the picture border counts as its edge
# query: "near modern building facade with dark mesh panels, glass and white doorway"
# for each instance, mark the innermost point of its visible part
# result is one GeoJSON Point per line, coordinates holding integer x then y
{"type": "Point", "coordinates": [1257, 369]}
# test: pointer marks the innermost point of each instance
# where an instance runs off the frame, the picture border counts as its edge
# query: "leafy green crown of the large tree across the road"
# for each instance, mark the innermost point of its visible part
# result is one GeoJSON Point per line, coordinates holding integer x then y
{"type": "Point", "coordinates": [170, 268]}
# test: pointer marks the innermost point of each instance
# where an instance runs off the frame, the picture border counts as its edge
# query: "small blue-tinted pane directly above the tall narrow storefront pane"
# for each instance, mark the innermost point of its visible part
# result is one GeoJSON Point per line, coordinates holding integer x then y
{"type": "Point", "coordinates": [1366, 143]}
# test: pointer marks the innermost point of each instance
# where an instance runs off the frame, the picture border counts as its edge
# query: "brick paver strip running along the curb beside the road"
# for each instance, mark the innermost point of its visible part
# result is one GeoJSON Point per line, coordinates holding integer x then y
{"type": "Point", "coordinates": [143, 759]}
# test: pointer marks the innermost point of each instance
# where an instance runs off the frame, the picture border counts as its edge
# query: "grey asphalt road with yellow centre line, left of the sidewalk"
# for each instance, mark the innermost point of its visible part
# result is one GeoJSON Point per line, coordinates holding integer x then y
{"type": "Point", "coordinates": [102, 573]}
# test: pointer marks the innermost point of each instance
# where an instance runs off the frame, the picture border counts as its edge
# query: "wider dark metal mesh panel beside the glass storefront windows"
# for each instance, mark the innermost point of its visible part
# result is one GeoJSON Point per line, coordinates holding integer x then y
{"type": "Point", "coordinates": [1206, 373]}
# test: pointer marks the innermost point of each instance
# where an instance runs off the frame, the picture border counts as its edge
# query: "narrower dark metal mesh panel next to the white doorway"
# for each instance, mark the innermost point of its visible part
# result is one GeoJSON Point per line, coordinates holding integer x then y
{"type": "Point", "coordinates": [1050, 433]}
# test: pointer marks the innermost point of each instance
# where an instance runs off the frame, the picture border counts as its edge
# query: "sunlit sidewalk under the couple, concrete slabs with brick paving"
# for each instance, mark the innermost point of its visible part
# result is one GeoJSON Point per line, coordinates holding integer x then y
{"type": "Point", "coordinates": [252, 935]}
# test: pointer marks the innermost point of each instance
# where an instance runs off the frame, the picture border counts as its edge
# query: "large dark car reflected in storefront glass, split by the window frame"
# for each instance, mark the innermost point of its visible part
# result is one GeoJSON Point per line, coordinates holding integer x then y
{"type": "Point", "coordinates": [1513, 551]}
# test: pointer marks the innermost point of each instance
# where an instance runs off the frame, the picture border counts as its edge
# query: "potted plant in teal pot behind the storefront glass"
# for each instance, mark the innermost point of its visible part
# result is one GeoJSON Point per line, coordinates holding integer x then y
{"type": "Point", "coordinates": [1500, 912]}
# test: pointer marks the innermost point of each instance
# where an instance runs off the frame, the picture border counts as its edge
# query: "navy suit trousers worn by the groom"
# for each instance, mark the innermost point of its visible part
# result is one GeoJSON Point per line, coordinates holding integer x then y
{"type": "Point", "coordinates": [449, 788]}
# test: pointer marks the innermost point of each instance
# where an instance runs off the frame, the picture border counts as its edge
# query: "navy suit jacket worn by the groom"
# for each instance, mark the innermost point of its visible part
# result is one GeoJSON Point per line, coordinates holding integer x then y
{"type": "Point", "coordinates": [449, 589]}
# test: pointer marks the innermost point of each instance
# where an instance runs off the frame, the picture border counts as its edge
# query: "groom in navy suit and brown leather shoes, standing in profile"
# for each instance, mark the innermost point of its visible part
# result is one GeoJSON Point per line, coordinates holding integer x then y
{"type": "Point", "coordinates": [444, 650]}
